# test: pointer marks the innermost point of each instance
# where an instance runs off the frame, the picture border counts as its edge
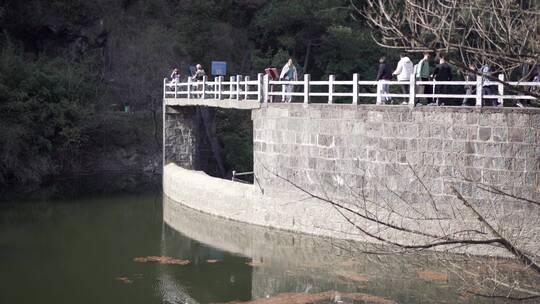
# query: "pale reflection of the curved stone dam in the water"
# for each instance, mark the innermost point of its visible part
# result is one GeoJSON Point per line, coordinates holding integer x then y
{"type": "Point", "coordinates": [292, 263]}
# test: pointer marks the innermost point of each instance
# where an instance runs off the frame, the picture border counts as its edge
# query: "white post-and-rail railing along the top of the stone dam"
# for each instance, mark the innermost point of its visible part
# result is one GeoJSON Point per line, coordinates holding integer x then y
{"type": "Point", "coordinates": [264, 90]}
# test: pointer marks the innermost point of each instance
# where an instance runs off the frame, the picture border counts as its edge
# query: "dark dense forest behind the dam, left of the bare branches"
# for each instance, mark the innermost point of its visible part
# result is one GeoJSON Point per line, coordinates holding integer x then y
{"type": "Point", "coordinates": [68, 68]}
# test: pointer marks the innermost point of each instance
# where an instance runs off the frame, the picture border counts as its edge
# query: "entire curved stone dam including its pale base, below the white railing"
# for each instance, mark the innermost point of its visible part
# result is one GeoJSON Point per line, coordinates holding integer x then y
{"type": "Point", "coordinates": [340, 170]}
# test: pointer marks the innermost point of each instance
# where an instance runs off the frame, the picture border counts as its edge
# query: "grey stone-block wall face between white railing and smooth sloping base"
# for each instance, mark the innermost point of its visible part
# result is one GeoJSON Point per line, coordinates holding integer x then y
{"type": "Point", "coordinates": [382, 149]}
